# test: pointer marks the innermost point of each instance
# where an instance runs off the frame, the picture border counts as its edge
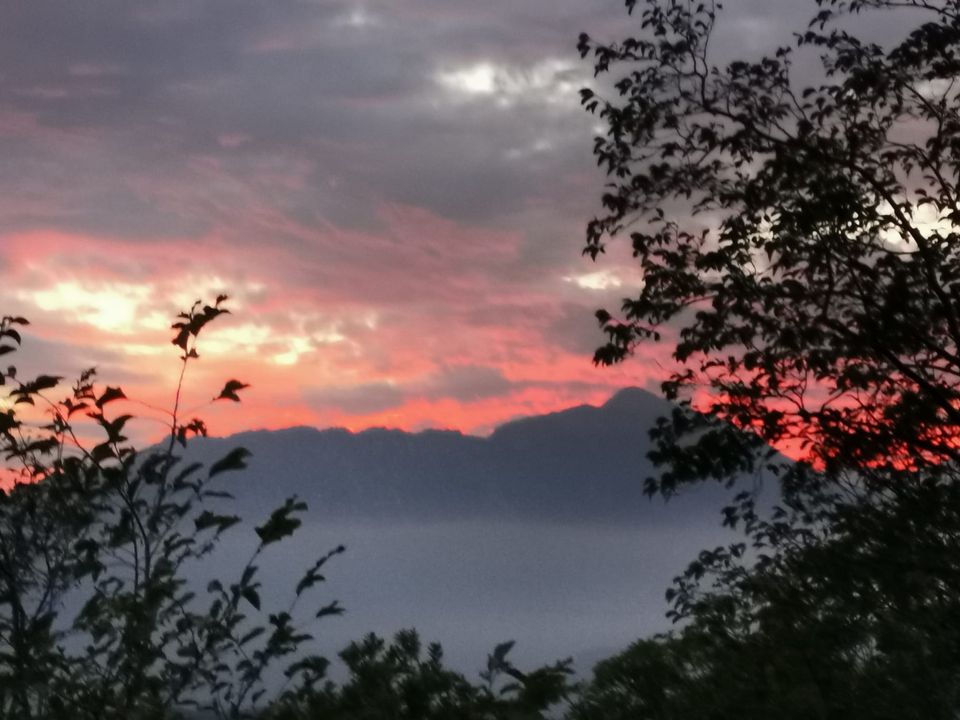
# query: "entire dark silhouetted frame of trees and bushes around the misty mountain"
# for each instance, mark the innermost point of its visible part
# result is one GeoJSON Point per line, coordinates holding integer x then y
{"type": "Point", "coordinates": [819, 311]}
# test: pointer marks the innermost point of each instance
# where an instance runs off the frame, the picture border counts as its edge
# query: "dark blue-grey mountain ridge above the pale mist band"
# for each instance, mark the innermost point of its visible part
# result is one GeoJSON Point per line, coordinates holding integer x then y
{"type": "Point", "coordinates": [584, 464]}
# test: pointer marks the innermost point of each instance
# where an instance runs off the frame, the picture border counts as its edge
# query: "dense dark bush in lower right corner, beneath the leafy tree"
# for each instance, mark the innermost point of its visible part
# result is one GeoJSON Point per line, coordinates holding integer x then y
{"type": "Point", "coordinates": [857, 617]}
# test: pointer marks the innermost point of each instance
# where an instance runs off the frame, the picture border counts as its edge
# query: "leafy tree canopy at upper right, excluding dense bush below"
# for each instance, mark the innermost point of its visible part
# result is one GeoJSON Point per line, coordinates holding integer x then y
{"type": "Point", "coordinates": [799, 243]}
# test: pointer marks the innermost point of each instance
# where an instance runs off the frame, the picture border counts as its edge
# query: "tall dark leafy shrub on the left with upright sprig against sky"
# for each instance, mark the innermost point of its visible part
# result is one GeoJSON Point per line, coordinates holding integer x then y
{"type": "Point", "coordinates": [97, 619]}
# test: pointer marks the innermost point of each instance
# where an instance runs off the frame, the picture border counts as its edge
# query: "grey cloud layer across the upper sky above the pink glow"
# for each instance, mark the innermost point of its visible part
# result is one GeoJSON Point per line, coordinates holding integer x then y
{"type": "Point", "coordinates": [135, 94]}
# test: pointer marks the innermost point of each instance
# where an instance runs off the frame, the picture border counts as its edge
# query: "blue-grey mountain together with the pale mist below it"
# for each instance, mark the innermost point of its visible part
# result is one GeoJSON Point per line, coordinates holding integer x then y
{"type": "Point", "coordinates": [539, 532]}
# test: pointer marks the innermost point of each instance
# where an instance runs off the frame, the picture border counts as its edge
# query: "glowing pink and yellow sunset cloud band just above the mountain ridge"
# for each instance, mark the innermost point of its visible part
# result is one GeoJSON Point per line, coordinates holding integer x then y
{"type": "Point", "coordinates": [401, 307]}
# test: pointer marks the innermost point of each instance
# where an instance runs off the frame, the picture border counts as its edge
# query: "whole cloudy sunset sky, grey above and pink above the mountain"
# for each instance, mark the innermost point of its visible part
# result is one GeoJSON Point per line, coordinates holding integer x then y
{"type": "Point", "coordinates": [393, 194]}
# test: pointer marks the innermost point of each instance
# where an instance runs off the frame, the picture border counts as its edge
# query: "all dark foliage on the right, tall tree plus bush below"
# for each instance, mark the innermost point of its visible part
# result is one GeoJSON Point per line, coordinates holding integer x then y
{"type": "Point", "coordinates": [799, 248]}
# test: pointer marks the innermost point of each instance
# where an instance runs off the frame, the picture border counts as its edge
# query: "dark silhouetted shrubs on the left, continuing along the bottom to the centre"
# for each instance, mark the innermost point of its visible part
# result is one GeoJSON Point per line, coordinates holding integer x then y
{"type": "Point", "coordinates": [99, 620]}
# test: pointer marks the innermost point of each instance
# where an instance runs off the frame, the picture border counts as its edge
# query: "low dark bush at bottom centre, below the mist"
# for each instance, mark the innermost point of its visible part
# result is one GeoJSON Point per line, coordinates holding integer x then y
{"type": "Point", "coordinates": [399, 681]}
